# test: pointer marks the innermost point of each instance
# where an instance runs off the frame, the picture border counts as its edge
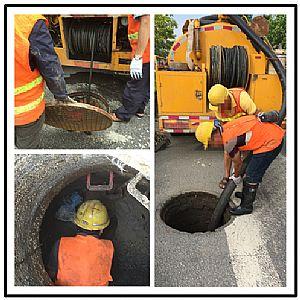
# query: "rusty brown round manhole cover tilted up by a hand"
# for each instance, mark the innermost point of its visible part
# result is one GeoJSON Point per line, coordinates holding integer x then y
{"type": "Point", "coordinates": [77, 117]}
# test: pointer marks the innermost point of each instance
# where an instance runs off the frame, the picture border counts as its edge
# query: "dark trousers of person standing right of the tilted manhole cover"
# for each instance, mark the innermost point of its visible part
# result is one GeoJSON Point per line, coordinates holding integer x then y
{"type": "Point", "coordinates": [136, 95]}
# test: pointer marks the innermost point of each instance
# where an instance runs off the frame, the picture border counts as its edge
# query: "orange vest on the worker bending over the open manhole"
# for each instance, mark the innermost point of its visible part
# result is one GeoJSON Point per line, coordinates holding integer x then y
{"type": "Point", "coordinates": [265, 136]}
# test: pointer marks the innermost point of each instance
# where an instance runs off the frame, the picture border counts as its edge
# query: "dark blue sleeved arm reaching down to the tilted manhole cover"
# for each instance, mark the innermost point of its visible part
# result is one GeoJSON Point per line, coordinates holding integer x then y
{"type": "Point", "coordinates": [44, 58]}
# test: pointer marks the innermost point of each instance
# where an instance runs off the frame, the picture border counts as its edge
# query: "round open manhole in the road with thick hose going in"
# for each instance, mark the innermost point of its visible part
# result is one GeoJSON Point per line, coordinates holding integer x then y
{"type": "Point", "coordinates": [191, 212]}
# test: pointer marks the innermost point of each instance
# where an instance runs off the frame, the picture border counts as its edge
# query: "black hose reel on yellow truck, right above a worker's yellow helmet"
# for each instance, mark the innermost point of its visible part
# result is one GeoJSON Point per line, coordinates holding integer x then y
{"type": "Point", "coordinates": [228, 66]}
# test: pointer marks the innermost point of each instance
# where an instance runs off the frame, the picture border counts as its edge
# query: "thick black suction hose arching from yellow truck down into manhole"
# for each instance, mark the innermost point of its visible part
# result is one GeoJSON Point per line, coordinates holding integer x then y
{"type": "Point", "coordinates": [230, 187]}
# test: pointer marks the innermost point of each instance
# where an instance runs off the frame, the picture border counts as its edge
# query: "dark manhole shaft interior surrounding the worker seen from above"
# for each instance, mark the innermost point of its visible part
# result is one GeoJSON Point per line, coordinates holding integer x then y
{"type": "Point", "coordinates": [117, 202]}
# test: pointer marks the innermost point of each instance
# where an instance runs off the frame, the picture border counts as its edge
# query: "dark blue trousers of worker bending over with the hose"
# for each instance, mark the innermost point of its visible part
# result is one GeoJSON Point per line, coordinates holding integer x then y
{"type": "Point", "coordinates": [259, 163]}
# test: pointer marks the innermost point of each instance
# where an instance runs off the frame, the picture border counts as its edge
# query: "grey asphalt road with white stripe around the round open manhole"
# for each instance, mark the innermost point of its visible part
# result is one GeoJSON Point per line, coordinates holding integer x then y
{"type": "Point", "coordinates": [249, 251]}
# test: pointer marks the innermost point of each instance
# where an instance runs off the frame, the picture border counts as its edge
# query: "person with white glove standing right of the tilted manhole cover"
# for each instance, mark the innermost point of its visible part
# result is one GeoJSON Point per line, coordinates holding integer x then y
{"type": "Point", "coordinates": [137, 91]}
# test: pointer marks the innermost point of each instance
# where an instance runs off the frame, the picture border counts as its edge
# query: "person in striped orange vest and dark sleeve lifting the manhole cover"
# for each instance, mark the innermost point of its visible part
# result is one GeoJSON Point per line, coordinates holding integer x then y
{"type": "Point", "coordinates": [35, 63]}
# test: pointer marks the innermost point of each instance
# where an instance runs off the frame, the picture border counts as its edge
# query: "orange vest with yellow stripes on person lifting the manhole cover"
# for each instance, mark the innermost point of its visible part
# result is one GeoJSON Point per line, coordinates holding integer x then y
{"type": "Point", "coordinates": [29, 85]}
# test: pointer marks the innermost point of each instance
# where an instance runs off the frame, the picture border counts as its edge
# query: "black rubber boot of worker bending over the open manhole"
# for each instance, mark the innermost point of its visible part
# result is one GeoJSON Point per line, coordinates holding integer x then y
{"type": "Point", "coordinates": [247, 198]}
